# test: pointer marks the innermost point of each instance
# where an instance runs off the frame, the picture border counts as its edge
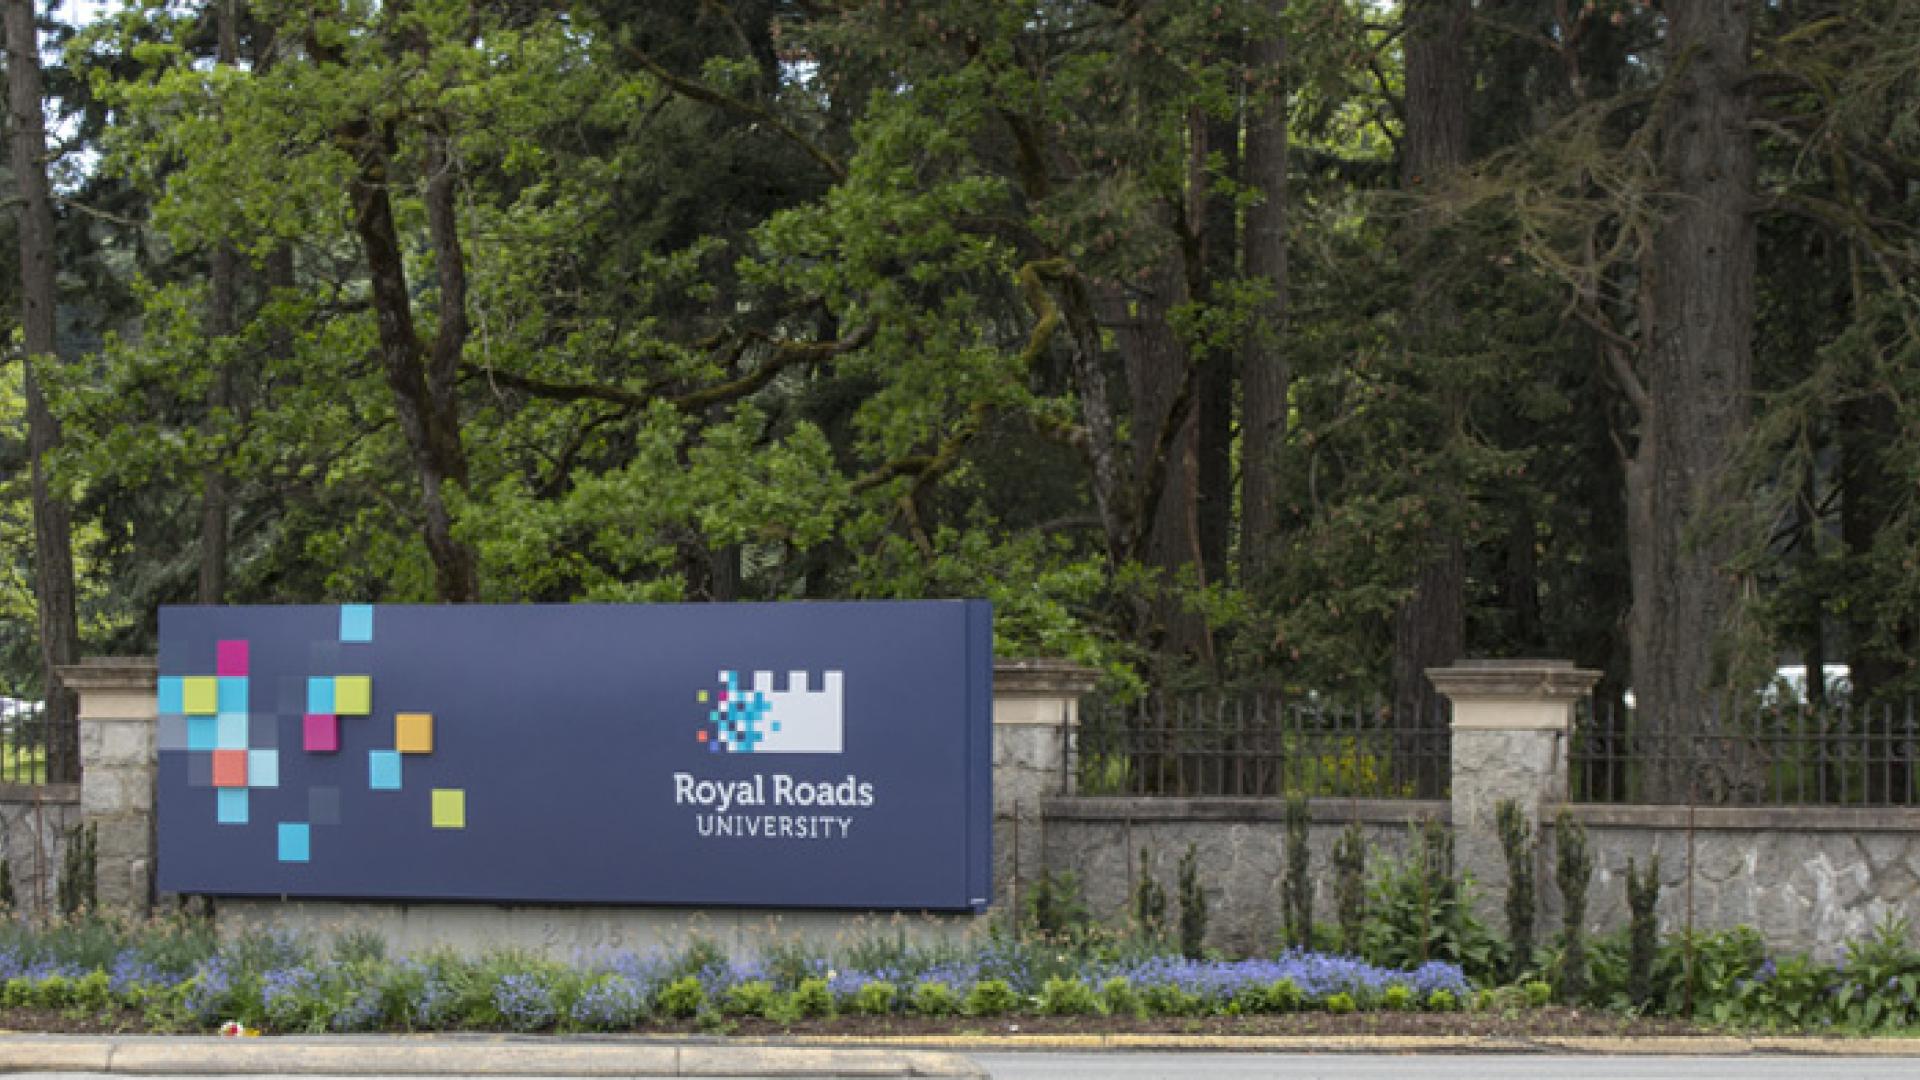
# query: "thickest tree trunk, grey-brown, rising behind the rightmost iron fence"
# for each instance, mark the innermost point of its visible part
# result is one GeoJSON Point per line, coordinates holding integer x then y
{"type": "Point", "coordinates": [1700, 355]}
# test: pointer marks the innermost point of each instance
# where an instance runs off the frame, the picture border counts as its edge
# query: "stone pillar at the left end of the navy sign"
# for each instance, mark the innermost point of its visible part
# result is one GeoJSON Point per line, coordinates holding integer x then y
{"type": "Point", "coordinates": [118, 766]}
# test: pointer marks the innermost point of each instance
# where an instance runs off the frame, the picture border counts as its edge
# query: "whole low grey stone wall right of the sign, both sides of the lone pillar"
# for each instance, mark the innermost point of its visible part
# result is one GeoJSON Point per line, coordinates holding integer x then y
{"type": "Point", "coordinates": [1808, 879]}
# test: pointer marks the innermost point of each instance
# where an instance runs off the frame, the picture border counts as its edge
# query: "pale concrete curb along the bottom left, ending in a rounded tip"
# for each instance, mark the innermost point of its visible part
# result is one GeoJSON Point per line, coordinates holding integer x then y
{"type": "Point", "coordinates": [404, 1056]}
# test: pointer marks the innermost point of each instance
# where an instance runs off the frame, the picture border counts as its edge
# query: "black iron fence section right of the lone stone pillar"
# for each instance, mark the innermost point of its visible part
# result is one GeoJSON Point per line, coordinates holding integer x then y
{"type": "Point", "coordinates": [1748, 754]}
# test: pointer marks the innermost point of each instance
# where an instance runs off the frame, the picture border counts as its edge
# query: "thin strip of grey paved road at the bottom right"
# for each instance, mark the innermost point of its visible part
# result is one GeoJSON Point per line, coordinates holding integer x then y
{"type": "Point", "coordinates": [1433, 1068]}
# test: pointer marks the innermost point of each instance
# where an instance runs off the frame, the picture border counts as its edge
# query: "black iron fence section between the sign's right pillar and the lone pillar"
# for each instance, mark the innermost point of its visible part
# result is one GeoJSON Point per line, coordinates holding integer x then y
{"type": "Point", "coordinates": [1259, 745]}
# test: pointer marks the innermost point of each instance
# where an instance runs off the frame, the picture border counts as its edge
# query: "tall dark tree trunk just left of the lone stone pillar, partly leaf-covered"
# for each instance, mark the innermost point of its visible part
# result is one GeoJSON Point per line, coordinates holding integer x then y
{"type": "Point", "coordinates": [1431, 627]}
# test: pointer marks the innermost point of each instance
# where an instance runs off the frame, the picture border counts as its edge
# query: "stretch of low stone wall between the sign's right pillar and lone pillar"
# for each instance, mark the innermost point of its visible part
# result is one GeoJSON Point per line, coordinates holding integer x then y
{"type": "Point", "coordinates": [1241, 850]}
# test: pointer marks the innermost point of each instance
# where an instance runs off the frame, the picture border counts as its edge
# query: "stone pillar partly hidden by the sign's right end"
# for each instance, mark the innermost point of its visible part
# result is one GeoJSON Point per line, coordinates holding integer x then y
{"type": "Point", "coordinates": [1036, 710]}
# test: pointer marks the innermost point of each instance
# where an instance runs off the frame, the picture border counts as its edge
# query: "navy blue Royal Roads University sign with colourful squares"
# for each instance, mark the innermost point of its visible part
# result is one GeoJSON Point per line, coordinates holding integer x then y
{"type": "Point", "coordinates": [702, 754]}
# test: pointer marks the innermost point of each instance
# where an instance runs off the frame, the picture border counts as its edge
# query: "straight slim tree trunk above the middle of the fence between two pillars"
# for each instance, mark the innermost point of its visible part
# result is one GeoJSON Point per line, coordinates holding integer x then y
{"type": "Point", "coordinates": [1264, 370]}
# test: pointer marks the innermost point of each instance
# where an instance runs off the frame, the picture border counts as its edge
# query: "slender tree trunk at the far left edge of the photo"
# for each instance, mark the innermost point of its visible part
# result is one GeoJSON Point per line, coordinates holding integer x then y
{"type": "Point", "coordinates": [53, 524]}
